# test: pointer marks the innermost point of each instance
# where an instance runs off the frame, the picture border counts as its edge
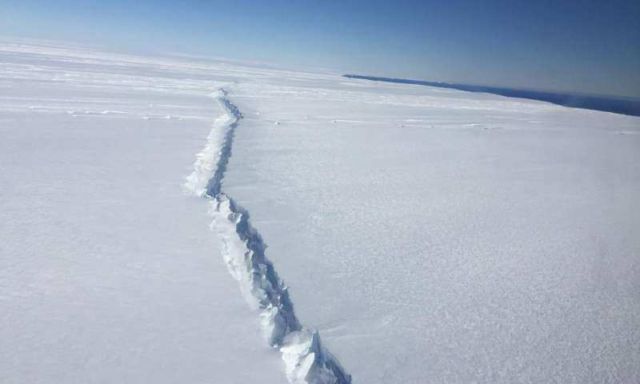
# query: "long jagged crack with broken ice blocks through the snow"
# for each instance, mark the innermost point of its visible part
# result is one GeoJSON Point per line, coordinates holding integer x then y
{"type": "Point", "coordinates": [306, 360]}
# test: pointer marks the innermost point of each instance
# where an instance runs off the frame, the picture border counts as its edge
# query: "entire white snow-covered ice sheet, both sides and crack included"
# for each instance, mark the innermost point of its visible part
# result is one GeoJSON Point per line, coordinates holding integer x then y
{"type": "Point", "coordinates": [424, 235]}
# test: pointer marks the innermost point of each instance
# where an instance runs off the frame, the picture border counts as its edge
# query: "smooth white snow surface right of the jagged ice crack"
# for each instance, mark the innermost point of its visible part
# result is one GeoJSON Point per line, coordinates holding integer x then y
{"type": "Point", "coordinates": [439, 236]}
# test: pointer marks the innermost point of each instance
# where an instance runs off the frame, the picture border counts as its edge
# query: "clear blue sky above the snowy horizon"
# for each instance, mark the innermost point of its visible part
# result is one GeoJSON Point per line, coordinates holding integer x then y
{"type": "Point", "coordinates": [580, 46]}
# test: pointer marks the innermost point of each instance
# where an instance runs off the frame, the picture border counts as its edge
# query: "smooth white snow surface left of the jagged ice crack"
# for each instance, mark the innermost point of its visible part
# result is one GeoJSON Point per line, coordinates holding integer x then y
{"type": "Point", "coordinates": [108, 270]}
